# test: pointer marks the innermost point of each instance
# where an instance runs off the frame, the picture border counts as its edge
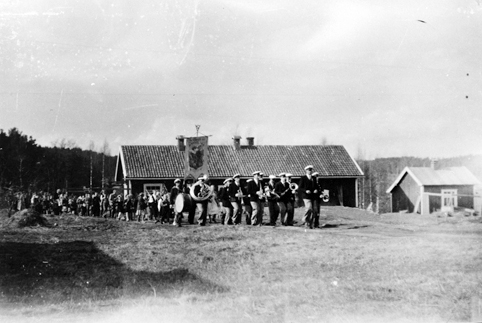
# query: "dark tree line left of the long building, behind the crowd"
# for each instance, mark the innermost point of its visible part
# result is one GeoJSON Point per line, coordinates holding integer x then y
{"type": "Point", "coordinates": [27, 166]}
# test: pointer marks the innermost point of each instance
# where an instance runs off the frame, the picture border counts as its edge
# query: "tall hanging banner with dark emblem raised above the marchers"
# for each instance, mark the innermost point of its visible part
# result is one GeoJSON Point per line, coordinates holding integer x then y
{"type": "Point", "coordinates": [196, 157]}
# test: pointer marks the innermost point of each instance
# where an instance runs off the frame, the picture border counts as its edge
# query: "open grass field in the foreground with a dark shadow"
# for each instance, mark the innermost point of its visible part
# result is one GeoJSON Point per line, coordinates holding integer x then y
{"type": "Point", "coordinates": [359, 267]}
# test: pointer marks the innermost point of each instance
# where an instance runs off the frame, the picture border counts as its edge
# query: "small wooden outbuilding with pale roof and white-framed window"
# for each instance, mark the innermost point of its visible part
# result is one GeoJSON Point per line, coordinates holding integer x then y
{"type": "Point", "coordinates": [425, 190]}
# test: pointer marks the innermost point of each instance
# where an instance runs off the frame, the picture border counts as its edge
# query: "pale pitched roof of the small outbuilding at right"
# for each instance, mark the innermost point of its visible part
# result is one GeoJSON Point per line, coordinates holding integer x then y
{"type": "Point", "coordinates": [427, 176]}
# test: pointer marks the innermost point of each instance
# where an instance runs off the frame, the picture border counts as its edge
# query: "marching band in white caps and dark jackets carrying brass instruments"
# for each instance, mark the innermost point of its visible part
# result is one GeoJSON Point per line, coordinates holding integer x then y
{"type": "Point", "coordinates": [250, 198]}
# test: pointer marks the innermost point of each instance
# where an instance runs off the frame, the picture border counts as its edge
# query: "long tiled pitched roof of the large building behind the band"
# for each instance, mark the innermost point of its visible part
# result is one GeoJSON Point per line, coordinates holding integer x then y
{"type": "Point", "coordinates": [168, 162]}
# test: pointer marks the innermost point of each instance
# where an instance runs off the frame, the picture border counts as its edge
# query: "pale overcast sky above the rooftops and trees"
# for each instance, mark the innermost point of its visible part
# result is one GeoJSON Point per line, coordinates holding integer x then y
{"type": "Point", "coordinates": [387, 78]}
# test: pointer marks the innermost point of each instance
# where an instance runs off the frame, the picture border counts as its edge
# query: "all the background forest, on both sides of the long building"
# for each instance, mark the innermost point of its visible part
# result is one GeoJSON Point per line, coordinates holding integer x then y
{"type": "Point", "coordinates": [24, 165]}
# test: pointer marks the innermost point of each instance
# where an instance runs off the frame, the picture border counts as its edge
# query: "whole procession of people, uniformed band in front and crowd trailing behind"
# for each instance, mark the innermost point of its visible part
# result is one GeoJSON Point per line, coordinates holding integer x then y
{"type": "Point", "coordinates": [234, 201]}
